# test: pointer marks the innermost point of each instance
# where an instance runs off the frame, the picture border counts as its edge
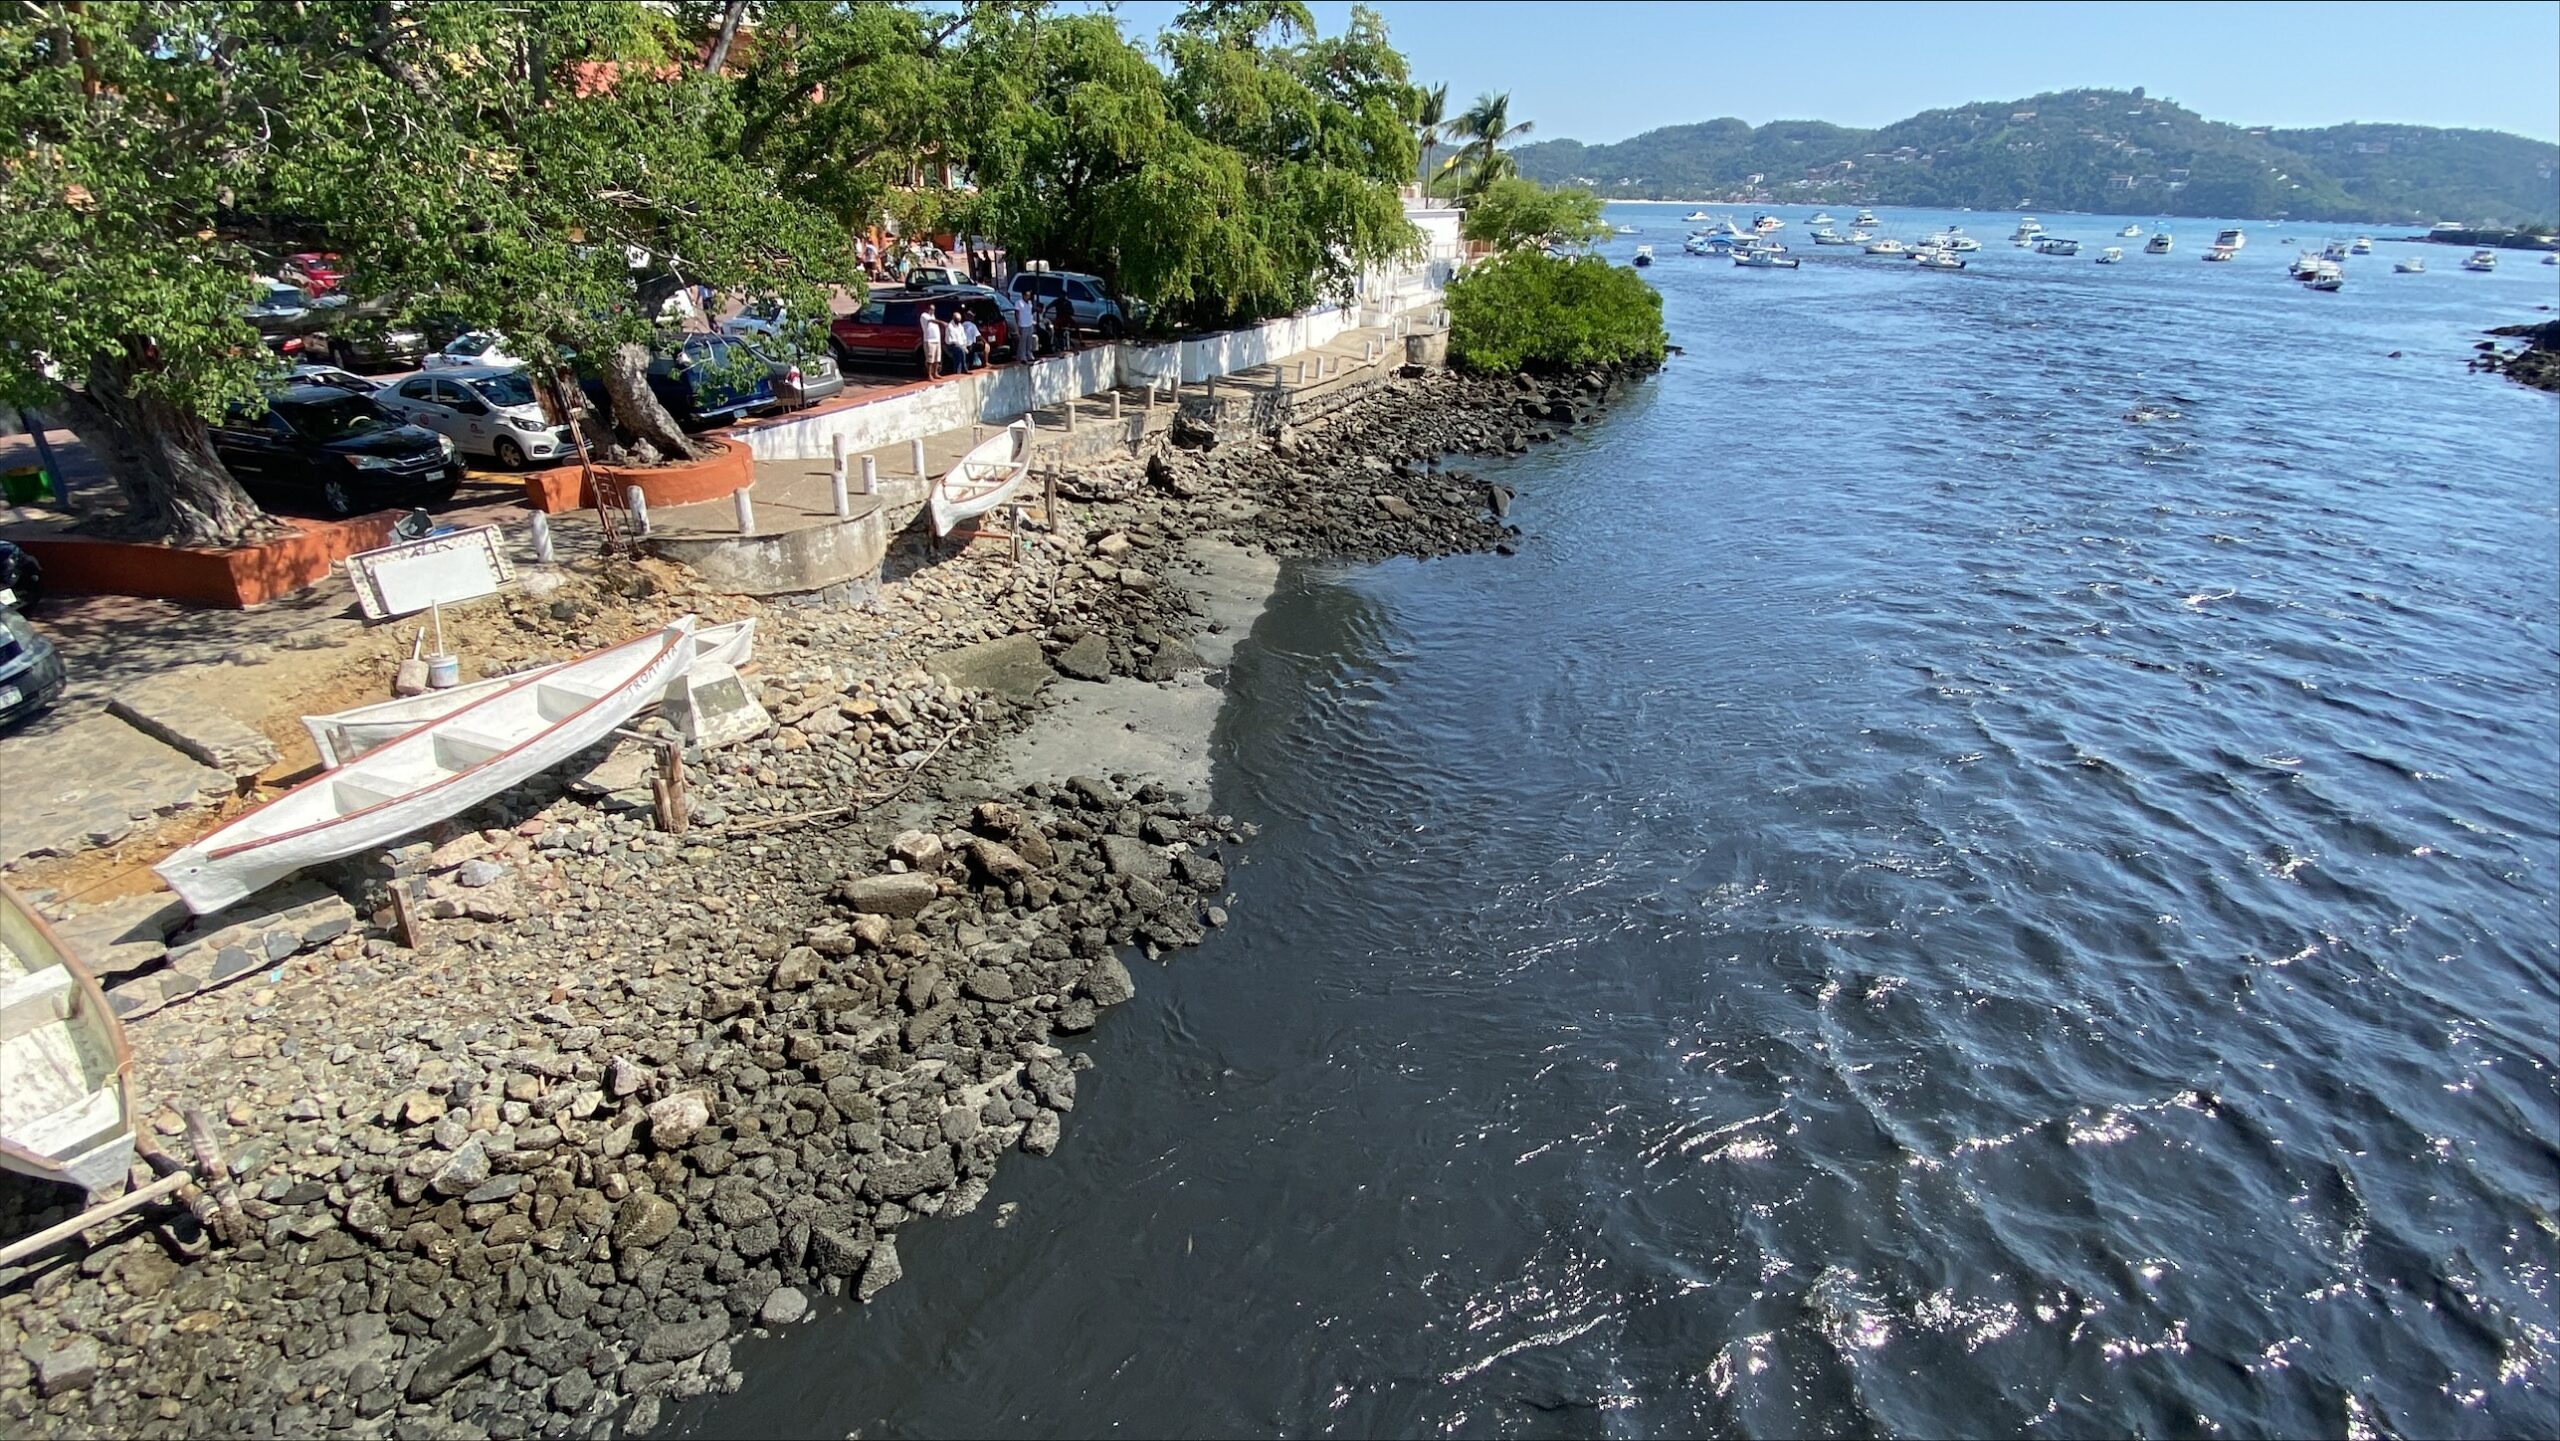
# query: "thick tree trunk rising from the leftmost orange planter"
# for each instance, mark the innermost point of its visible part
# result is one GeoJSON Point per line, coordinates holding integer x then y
{"type": "Point", "coordinates": [163, 459]}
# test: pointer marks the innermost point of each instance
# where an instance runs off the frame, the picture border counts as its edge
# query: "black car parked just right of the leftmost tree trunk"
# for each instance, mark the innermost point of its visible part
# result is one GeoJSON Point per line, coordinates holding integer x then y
{"type": "Point", "coordinates": [339, 452]}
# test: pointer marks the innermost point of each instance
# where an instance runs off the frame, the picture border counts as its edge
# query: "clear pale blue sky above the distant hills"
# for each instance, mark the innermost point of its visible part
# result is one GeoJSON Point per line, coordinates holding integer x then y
{"type": "Point", "coordinates": [1609, 70]}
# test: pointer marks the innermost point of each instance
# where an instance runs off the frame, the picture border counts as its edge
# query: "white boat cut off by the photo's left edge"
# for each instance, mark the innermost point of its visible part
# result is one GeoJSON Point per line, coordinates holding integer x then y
{"type": "Point", "coordinates": [68, 1099]}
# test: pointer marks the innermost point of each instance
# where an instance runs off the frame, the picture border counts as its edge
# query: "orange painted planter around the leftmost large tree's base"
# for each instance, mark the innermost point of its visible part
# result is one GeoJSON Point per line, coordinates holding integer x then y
{"type": "Point", "coordinates": [221, 580]}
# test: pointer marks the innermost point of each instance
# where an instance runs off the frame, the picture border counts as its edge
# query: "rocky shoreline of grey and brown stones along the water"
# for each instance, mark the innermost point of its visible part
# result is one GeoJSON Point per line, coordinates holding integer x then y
{"type": "Point", "coordinates": [639, 1092]}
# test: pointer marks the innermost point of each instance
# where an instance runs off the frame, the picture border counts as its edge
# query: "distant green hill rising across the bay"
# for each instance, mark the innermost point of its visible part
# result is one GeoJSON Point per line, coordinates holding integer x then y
{"type": "Point", "coordinates": [2080, 150]}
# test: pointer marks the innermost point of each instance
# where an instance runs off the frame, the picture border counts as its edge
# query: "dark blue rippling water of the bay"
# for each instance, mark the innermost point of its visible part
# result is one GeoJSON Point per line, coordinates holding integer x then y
{"type": "Point", "coordinates": [1988, 872]}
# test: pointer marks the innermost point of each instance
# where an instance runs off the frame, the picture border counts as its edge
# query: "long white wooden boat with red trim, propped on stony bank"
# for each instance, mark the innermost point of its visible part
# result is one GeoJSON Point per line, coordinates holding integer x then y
{"type": "Point", "coordinates": [431, 772]}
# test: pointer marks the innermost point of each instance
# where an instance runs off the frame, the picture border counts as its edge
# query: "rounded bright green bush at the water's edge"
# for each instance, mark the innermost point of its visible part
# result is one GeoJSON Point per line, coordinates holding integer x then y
{"type": "Point", "coordinates": [1553, 314]}
